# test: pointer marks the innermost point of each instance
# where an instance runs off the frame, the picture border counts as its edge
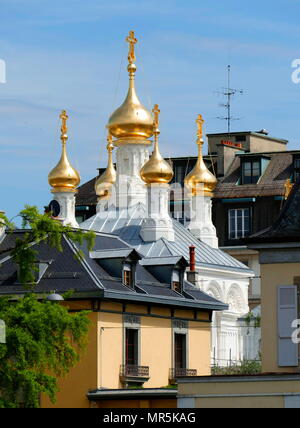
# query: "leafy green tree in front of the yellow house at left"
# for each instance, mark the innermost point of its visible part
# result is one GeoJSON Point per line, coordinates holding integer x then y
{"type": "Point", "coordinates": [43, 340]}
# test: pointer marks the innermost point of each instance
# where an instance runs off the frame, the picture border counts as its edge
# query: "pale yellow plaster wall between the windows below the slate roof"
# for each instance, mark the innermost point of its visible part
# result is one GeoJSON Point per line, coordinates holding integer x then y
{"type": "Point", "coordinates": [100, 365]}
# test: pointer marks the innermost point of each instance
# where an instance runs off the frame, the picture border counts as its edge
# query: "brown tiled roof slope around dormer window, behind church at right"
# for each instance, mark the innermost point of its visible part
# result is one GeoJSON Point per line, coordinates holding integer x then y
{"type": "Point", "coordinates": [271, 183]}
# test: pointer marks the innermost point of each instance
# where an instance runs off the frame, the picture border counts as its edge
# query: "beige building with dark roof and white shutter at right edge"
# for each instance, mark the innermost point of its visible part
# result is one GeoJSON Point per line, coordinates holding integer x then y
{"type": "Point", "coordinates": [278, 386]}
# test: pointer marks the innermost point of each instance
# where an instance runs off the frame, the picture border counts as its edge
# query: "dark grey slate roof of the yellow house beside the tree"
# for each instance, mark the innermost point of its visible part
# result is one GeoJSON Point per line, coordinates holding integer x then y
{"type": "Point", "coordinates": [87, 278]}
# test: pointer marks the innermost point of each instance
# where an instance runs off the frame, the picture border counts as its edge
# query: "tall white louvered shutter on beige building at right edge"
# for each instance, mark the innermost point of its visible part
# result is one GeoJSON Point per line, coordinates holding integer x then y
{"type": "Point", "coordinates": [287, 313]}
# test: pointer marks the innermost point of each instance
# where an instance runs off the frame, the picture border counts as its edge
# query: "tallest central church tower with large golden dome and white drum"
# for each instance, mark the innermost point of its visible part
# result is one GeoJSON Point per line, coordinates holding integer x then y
{"type": "Point", "coordinates": [132, 126]}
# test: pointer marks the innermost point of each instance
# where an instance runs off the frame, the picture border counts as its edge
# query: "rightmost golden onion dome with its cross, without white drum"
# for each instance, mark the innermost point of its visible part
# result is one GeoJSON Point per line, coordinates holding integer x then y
{"type": "Point", "coordinates": [200, 181]}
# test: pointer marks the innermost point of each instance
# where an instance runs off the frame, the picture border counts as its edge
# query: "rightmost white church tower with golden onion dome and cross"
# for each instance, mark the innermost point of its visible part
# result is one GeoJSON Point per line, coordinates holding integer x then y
{"type": "Point", "coordinates": [201, 183]}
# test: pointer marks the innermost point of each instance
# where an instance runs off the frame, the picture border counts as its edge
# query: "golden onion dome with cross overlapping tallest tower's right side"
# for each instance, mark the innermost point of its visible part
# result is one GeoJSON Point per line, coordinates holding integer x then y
{"type": "Point", "coordinates": [156, 170]}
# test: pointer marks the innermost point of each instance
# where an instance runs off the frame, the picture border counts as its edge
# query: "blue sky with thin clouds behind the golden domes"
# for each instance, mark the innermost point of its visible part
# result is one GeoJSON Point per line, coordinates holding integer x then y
{"type": "Point", "coordinates": [72, 55]}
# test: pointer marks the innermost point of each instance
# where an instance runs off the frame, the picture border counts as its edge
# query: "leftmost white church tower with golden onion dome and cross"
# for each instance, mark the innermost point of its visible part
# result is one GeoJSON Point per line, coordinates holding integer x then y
{"type": "Point", "coordinates": [64, 180]}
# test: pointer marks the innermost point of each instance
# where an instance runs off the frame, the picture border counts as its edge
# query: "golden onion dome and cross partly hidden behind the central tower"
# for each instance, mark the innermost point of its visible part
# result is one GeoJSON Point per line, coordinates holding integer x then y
{"type": "Point", "coordinates": [104, 183]}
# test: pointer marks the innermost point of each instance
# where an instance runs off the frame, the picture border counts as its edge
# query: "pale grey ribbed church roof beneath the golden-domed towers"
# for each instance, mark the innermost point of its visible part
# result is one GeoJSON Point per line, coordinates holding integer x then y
{"type": "Point", "coordinates": [128, 226]}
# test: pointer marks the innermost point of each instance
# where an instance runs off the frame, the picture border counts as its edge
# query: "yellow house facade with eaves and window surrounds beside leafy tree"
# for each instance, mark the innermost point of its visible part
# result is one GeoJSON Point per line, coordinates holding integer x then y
{"type": "Point", "coordinates": [101, 364]}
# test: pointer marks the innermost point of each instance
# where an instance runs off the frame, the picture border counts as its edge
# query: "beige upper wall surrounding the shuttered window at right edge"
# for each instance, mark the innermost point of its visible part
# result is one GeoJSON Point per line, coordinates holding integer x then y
{"type": "Point", "coordinates": [273, 275]}
